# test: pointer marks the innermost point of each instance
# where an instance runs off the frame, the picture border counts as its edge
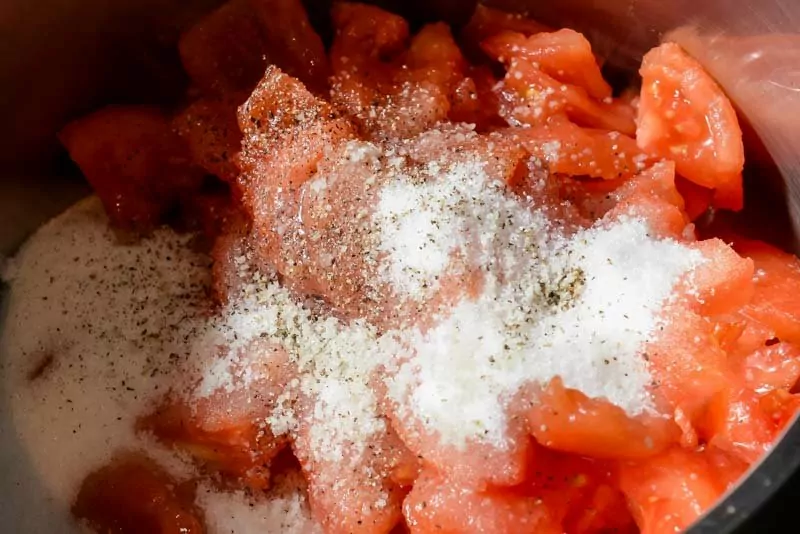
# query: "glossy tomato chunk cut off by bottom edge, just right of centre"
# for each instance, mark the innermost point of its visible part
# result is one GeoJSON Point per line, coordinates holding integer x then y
{"type": "Point", "coordinates": [439, 505]}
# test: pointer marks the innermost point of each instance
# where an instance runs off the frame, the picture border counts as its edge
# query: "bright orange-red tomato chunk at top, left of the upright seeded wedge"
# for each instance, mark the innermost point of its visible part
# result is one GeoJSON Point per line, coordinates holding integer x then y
{"type": "Point", "coordinates": [565, 55]}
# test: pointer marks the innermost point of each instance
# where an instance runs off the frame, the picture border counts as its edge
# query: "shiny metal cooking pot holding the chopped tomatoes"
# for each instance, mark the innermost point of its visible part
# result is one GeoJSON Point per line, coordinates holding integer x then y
{"type": "Point", "coordinates": [62, 58]}
